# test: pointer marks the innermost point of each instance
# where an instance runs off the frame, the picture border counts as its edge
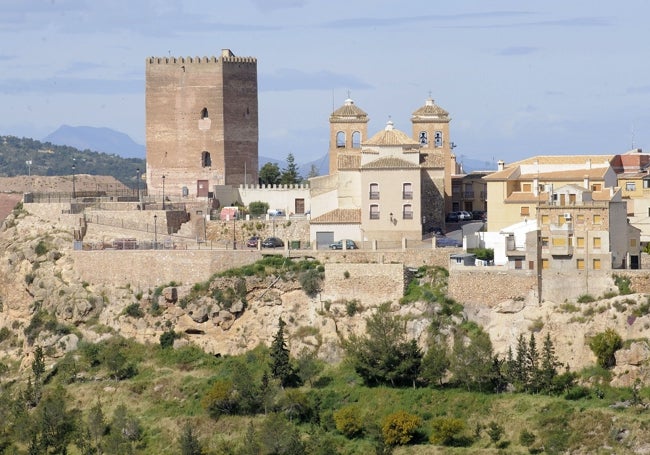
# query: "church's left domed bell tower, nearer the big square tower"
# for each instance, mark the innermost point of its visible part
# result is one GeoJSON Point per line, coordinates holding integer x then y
{"type": "Point", "coordinates": [348, 127]}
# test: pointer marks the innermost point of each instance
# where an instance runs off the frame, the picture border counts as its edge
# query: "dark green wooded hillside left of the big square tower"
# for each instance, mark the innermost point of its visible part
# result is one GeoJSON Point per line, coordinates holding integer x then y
{"type": "Point", "coordinates": [56, 160]}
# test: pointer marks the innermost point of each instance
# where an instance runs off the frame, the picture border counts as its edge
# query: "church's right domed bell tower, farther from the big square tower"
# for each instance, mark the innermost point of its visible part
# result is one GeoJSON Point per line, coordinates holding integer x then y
{"type": "Point", "coordinates": [431, 130]}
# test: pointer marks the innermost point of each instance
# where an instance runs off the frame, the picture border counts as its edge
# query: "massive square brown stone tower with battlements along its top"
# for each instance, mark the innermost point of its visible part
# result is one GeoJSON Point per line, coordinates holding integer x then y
{"type": "Point", "coordinates": [201, 123]}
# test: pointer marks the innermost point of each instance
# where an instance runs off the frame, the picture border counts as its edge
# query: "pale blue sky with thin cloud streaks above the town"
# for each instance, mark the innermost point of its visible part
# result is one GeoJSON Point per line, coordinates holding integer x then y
{"type": "Point", "coordinates": [518, 78]}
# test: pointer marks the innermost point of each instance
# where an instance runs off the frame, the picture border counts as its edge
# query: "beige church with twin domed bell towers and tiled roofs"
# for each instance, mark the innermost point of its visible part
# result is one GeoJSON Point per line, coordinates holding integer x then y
{"type": "Point", "coordinates": [386, 188]}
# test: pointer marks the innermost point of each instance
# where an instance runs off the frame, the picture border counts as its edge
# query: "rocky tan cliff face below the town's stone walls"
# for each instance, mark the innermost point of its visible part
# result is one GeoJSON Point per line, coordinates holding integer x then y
{"type": "Point", "coordinates": [44, 301]}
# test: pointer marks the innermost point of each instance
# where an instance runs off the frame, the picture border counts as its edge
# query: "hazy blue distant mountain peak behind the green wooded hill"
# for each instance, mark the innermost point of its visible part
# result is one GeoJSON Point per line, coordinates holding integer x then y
{"type": "Point", "coordinates": [104, 140]}
